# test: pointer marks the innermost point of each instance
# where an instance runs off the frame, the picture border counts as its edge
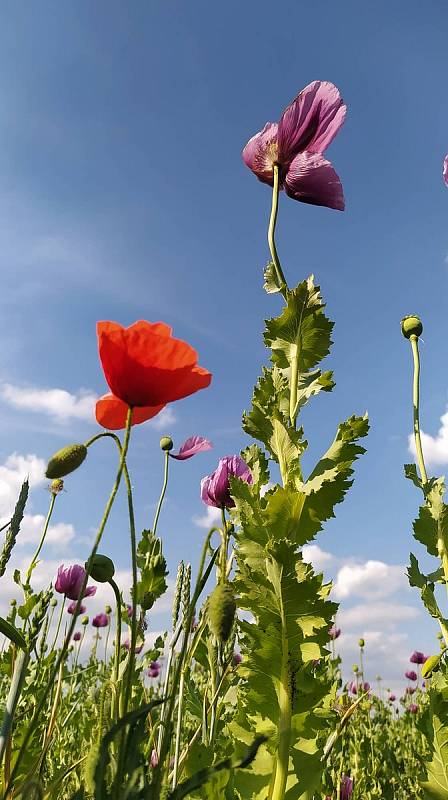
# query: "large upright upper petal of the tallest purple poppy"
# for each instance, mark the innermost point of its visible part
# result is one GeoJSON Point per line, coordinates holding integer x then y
{"type": "Point", "coordinates": [311, 121]}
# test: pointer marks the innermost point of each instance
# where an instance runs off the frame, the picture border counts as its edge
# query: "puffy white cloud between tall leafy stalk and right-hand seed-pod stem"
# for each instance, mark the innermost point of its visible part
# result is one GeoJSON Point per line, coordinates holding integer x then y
{"type": "Point", "coordinates": [373, 579]}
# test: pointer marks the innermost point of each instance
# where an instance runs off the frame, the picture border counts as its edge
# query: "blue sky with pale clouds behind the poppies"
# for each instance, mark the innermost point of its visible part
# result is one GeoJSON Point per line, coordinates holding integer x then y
{"type": "Point", "coordinates": [124, 196]}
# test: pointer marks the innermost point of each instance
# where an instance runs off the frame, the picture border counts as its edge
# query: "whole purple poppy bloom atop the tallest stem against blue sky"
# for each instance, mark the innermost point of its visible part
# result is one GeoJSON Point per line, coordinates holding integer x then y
{"type": "Point", "coordinates": [296, 144]}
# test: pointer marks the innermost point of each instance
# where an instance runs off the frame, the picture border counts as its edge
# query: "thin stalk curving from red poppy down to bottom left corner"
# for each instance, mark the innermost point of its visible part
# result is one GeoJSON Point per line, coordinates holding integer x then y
{"type": "Point", "coordinates": [63, 651]}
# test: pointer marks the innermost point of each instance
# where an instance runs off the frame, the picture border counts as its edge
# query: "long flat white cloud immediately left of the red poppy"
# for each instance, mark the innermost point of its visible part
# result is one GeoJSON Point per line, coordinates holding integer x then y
{"type": "Point", "coordinates": [58, 404]}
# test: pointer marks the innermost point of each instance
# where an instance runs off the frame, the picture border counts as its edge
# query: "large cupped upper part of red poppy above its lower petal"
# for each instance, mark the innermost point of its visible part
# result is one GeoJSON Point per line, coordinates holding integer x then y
{"type": "Point", "coordinates": [146, 367]}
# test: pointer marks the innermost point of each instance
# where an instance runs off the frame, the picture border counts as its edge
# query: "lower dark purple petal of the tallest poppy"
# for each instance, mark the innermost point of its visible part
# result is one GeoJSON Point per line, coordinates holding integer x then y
{"type": "Point", "coordinates": [312, 179]}
